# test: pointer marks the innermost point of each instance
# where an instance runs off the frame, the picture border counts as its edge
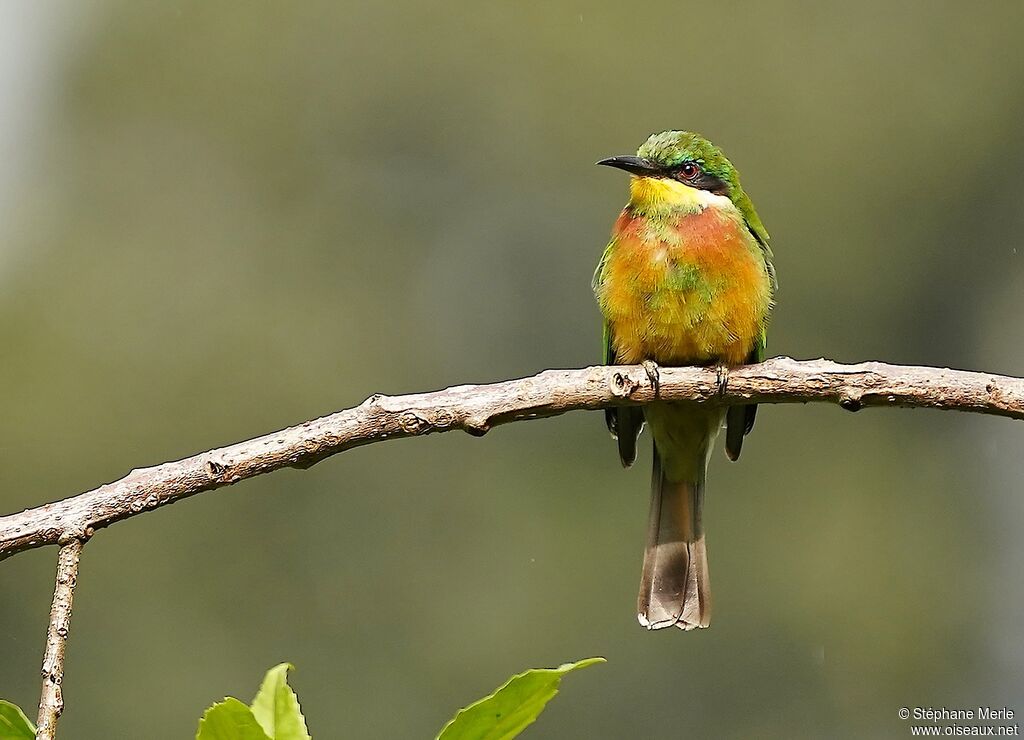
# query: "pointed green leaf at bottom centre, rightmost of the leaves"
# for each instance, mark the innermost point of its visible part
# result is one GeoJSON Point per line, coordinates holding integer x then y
{"type": "Point", "coordinates": [514, 708]}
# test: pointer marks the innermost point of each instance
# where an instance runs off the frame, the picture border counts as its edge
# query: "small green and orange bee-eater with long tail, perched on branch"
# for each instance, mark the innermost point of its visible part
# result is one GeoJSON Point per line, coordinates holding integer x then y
{"type": "Point", "coordinates": [687, 280]}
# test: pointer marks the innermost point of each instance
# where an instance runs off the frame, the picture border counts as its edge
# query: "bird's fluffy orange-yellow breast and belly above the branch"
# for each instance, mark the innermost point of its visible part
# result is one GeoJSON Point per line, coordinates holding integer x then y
{"type": "Point", "coordinates": [692, 291]}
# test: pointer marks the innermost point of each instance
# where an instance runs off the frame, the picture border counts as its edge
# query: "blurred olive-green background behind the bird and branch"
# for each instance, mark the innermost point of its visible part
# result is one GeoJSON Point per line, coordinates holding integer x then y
{"type": "Point", "coordinates": [219, 220]}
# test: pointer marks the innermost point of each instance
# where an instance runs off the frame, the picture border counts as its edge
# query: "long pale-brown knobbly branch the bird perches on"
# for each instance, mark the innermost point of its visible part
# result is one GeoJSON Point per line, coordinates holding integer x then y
{"type": "Point", "coordinates": [478, 409]}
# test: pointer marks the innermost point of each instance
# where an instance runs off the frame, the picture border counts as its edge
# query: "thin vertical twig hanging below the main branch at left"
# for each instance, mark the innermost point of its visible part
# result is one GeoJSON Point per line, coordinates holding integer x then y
{"type": "Point", "coordinates": [52, 699]}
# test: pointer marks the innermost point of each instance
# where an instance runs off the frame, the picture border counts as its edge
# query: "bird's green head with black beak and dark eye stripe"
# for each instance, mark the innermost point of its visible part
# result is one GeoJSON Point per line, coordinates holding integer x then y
{"type": "Point", "coordinates": [694, 161]}
